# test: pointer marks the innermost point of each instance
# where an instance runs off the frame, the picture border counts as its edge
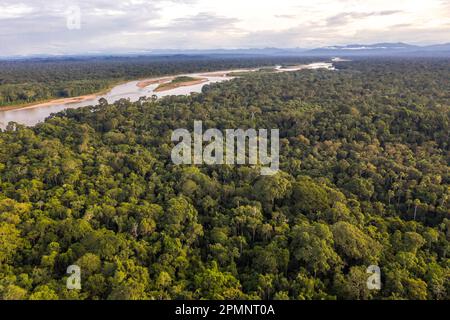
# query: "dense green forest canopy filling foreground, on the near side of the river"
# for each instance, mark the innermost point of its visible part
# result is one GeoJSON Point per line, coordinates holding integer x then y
{"type": "Point", "coordinates": [364, 180]}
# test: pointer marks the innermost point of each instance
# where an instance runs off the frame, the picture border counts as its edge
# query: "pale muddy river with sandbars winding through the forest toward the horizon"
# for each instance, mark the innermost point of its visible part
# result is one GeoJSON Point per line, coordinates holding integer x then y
{"type": "Point", "coordinates": [34, 114]}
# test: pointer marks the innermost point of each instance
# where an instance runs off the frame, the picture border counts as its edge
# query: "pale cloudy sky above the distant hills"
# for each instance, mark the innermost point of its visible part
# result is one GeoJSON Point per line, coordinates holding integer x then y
{"type": "Point", "coordinates": [51, 27]}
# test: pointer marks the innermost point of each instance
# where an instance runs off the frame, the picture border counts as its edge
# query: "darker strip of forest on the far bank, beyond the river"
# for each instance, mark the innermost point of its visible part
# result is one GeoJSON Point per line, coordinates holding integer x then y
{"type": "Point", "coordinates": [27, 81]}
